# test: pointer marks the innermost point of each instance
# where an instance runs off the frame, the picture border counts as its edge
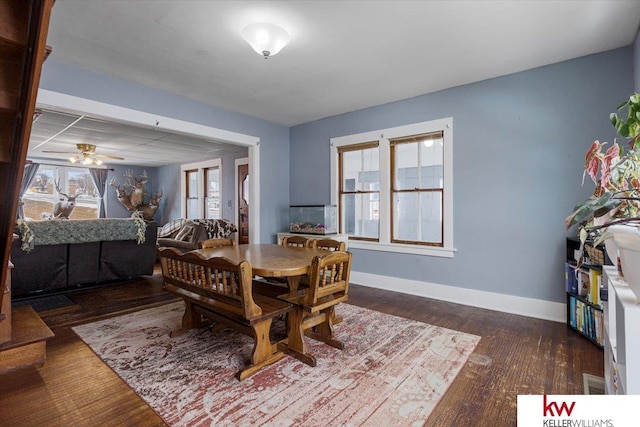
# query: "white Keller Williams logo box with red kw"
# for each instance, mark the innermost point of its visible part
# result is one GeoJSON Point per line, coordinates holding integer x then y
{"type": "Point", "coordinates": [577, 411]}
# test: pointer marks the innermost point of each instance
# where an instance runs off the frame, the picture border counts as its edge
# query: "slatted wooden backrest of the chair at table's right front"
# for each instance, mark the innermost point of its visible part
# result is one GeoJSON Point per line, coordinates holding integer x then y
{"type": "Point", "coordinates": [328, 279]}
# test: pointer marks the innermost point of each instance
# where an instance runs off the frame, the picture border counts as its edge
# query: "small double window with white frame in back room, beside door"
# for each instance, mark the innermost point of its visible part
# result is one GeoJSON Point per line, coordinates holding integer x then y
{"type": "Point", "coordinates": [201, 183]}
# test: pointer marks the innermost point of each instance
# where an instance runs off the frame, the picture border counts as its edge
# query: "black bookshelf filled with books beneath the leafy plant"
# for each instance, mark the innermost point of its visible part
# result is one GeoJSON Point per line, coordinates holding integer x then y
{"type": "Point", "coordinates": [583, 288]}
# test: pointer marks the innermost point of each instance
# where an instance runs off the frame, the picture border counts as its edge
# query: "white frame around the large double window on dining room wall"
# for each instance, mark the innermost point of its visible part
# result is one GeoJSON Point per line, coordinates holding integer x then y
{"type": "Point", "coordinates": [383, 136]}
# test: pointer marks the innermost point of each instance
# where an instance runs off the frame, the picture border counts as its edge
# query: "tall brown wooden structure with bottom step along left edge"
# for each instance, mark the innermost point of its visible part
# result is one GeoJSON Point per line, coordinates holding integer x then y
{"type": "Point", "coordinates": [23, 33]}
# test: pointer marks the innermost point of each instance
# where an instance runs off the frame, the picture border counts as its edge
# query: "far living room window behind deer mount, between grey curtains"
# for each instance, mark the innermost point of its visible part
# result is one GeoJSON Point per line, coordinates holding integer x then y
{"type": "Point", "coordinates": [48, 185]}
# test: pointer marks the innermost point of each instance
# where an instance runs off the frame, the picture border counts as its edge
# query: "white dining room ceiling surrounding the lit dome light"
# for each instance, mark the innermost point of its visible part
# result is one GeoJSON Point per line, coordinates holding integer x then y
{"type": "Point", "coordinates": [343, 55]}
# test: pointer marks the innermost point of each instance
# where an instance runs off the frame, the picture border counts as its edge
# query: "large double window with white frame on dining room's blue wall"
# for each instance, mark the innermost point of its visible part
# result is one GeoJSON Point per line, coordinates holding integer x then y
{"type": "Point", "coordinates": [394, 188]}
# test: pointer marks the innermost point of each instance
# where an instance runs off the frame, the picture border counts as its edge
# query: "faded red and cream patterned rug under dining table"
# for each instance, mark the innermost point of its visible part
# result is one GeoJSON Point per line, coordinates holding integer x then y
{"type": "Point", "coordinates": [392, 372]}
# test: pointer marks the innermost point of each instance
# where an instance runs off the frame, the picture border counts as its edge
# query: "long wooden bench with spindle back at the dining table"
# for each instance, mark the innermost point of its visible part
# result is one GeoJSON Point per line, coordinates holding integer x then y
{"type": "Point", "coordinates": [221, 291]}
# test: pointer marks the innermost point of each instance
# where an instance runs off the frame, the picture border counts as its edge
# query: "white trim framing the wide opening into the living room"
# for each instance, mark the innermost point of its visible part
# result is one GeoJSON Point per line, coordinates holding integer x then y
{"type": "Point", "coordinates": [63, 102]}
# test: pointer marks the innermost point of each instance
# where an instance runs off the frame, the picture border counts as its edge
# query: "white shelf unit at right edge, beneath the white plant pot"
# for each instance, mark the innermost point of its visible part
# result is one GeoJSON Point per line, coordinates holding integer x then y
{"type": "Point", "coordinates": [622, 338]}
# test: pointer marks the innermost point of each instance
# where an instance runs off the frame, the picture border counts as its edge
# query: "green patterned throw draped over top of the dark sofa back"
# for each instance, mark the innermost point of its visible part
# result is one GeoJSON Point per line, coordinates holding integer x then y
{"type": "Point", "coordinates": [65, 231]}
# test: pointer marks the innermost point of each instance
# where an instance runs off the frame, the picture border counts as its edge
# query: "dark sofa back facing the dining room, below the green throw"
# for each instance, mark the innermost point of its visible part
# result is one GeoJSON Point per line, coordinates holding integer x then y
{"type": "Point", "coordinates": [55, 267]}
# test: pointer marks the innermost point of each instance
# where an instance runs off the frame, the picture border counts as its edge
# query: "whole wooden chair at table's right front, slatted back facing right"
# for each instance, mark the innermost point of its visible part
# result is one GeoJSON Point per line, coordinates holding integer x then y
{"type": "Point", "coordinates": [314, 307]}
